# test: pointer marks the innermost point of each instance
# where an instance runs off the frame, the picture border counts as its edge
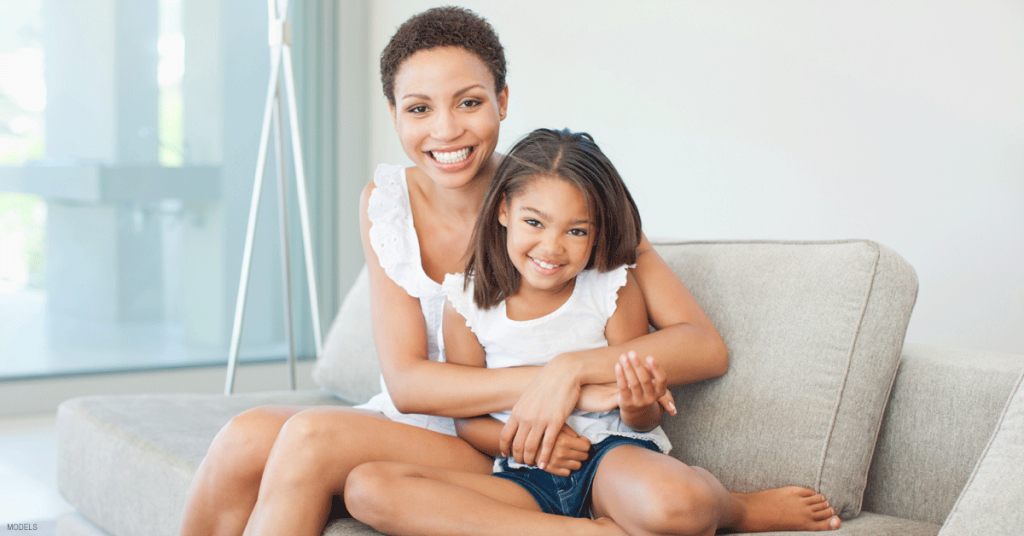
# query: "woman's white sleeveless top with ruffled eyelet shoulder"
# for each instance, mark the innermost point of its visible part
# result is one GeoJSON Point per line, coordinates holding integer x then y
{"type": "Point", "coordinates": [394, 238]}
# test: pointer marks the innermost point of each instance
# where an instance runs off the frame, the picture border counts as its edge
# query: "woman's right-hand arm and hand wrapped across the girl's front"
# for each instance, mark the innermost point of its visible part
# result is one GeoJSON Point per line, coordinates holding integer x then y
{"type": "Point", "coordinates": [687, 346]}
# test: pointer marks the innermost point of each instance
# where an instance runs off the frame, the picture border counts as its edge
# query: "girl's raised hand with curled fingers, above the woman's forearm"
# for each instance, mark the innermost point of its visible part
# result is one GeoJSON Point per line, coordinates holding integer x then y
{"type": "Point", "coordinates": [642, 386]}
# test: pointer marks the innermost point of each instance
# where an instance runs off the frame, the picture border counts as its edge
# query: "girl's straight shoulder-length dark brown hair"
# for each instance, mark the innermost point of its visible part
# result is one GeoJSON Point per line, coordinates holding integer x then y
{"type": "Point", "coordinates": [561, 154]}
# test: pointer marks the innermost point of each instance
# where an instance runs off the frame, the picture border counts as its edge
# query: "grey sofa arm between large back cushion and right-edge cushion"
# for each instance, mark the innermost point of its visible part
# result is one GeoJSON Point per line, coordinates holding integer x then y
{"type": "Point", "coordinates": [942, 414]}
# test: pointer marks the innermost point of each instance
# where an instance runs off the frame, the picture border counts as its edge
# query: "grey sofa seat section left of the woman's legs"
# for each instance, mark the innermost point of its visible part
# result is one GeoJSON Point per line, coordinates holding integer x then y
{"type": "Point", "coordinates": [125, 463]}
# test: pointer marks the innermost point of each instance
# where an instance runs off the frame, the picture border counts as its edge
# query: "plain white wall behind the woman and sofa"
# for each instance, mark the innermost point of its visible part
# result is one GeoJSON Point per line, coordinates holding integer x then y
{"type": "Point", "coordinates": [902, 122]}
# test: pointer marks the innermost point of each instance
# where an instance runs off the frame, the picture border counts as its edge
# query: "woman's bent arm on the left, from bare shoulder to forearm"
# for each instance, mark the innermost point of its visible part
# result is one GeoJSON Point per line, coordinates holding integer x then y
{"type": "Point", "coordinates": [416, 384]}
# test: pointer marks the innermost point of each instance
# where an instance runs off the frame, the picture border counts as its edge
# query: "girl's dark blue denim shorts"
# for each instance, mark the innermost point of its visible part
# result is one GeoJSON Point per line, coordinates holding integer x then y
{"type": "Point", "coordinates": [568, 496]}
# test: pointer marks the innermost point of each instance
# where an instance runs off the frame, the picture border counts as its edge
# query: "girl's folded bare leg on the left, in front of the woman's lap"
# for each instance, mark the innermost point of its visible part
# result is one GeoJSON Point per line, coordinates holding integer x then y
{"type": "Point", "coordinates": [415, 501]}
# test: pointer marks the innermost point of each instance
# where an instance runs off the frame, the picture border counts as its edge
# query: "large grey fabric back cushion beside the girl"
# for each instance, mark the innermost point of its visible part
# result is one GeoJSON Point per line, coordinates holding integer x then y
{"type": "Point", "coordinates": [815, 333]}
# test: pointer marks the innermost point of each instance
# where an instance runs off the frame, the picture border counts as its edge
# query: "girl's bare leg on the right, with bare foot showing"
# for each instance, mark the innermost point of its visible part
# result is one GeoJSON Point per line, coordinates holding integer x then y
{"type": "Point", "coordinates": [648, 493]}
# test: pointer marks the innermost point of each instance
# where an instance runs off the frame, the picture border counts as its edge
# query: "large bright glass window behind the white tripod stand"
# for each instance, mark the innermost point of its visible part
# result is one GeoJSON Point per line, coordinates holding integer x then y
{"type": "Point", "coordinates": [130, 135]}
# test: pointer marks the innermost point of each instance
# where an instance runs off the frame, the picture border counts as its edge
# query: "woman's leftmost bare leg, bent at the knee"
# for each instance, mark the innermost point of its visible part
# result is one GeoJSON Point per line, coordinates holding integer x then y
{"type": "Point", "coordinates": [224, 492]}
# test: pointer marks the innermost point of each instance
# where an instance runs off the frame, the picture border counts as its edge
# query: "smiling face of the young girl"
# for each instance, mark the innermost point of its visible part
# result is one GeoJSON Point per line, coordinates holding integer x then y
{"type": "Point", "coordinates": [550, 234]}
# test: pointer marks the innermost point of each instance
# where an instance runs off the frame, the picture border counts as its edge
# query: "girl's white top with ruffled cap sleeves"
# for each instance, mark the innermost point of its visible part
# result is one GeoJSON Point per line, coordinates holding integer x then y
{"type": "Point", "coordinates": [577, 325]}
